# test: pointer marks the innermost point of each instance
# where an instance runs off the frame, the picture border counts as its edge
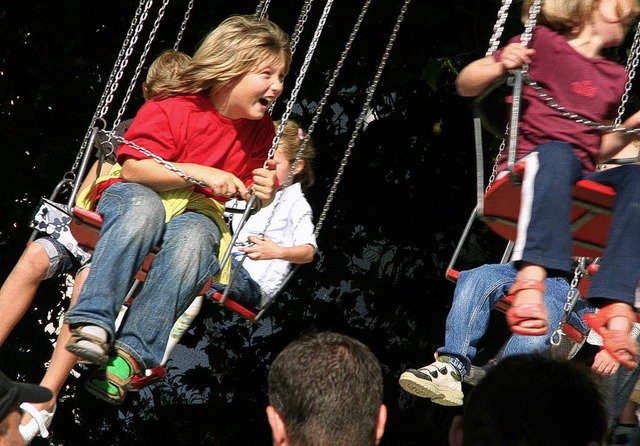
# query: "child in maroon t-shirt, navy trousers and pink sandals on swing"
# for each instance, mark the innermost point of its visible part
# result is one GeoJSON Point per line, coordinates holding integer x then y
{"type": "Point", "coordinates": [564, 56]}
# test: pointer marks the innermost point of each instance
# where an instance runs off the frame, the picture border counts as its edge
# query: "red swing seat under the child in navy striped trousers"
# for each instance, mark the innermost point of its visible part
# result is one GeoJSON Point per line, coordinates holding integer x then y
{"type": "Point", "coordinates": [590, 212]}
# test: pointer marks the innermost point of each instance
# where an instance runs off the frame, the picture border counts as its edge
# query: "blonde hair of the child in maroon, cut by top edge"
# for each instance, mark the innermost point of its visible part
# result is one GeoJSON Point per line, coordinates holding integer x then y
{"type": "Point", "coordinates": [566, 16]}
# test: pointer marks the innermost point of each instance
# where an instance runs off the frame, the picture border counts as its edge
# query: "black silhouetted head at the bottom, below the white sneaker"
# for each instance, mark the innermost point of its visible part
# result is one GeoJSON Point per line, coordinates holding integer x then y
{"type": "Point", "coordinates": [517, 403]}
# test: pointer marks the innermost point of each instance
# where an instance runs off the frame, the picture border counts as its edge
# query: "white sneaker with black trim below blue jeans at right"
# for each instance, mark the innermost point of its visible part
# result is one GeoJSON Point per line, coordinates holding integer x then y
{"type": "Point", "coordinates": [439, 381]}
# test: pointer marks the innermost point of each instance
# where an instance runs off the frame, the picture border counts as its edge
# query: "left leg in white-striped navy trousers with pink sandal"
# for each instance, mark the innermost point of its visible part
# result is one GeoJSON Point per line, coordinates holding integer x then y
{"type": "Point", "coordinates": [544, 233]}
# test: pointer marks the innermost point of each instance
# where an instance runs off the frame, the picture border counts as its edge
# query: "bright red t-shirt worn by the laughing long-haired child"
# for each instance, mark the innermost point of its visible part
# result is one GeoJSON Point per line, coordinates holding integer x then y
{"type": "Point", "coordinates": [188, 129]}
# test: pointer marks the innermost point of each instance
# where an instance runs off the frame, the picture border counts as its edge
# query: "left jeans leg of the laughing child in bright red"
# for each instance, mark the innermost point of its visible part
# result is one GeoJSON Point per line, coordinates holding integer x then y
{"type": "Point", "coordinates": [133, 223]}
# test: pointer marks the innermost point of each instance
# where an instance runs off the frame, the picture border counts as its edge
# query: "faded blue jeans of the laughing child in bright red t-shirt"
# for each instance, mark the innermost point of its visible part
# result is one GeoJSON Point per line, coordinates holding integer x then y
{"type": "Point", "coordinates": [133, 223]}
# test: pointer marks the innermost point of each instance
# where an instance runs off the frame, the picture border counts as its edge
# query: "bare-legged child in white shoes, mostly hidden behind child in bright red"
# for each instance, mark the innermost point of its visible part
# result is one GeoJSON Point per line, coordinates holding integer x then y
{"type": "Point", "coordinates": [46, 257]}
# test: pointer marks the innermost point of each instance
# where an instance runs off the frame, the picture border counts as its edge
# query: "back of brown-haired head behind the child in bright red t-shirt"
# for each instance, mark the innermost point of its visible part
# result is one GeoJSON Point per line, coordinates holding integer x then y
{"type": "Point", "coordinates": [163, 73]}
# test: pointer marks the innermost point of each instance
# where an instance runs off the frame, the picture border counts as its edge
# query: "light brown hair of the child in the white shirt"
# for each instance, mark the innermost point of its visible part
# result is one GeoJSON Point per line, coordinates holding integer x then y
{"type": "Point", "coordinates": [291, 139]}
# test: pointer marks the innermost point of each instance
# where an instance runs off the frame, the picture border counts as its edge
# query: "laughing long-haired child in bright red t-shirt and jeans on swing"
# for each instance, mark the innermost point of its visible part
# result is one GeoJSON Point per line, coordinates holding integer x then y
{"type": "Point", "coordinates": [210, 127]}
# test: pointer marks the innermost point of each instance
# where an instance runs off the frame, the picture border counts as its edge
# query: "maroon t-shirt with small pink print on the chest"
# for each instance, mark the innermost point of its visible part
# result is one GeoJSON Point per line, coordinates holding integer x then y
{"type": "Point", "coordinates": [589, 87]}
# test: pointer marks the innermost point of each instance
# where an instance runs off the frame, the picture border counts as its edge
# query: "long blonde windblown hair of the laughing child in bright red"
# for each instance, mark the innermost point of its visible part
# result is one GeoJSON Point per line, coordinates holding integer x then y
{"type": "Point", "coordinates": [241, 43]}
